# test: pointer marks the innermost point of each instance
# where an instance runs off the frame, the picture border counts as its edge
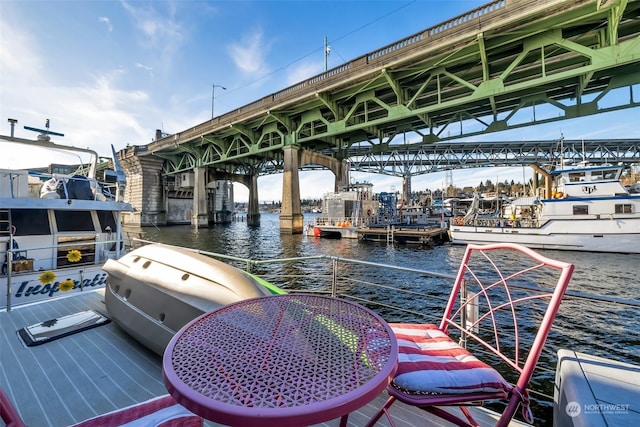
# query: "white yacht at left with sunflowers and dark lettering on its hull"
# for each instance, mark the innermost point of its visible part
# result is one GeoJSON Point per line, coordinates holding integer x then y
{"type": "Point", "coordinates": [57, 228]}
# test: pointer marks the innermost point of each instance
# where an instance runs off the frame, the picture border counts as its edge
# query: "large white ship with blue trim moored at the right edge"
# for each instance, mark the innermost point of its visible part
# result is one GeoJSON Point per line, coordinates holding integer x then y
{"type": "Point", "coordinates": [584, 208]}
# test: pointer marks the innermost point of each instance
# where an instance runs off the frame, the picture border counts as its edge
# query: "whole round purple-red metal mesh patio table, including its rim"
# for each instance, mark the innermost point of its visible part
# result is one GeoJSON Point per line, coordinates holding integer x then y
{"type": "Point", "coordinates": [285, 360]}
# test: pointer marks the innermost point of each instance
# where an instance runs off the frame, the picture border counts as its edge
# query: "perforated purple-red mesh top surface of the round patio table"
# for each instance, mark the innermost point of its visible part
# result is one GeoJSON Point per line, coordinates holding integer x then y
{"type": "Point", "coordinates": [281, 351]}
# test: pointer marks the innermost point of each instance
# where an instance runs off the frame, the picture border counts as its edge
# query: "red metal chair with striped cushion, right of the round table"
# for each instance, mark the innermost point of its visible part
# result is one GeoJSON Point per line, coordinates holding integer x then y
{"type": "Point", "coordinates": [503, 303]}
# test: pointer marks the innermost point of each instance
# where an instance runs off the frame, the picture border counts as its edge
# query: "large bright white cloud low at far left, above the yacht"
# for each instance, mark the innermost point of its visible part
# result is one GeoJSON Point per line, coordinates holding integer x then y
{"type": "Point", "coordinates": [92, 113]}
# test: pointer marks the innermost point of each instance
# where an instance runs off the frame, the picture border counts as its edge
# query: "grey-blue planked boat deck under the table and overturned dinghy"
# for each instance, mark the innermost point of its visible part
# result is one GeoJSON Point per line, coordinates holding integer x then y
{"type": "Point", "coordinates": [102, 369]}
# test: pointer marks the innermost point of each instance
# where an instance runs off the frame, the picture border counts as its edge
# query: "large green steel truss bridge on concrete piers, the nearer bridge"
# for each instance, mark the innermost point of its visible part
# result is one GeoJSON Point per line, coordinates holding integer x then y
{"type": "Point", "coordinates": [471, 75]}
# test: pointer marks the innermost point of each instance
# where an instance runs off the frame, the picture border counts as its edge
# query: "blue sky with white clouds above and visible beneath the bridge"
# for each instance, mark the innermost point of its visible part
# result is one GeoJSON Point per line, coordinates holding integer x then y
{"type": "Point", "coordinates": [112, 72]}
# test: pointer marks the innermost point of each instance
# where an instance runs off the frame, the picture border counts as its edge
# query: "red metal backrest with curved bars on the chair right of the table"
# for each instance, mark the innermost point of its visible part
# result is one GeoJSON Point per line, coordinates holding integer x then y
{"type": "Point", "coordinates": [505, 298]}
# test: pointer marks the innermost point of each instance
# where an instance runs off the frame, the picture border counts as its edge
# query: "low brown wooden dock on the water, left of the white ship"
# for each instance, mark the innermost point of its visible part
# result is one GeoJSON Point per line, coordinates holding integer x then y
{"type": "Point", "coordinates": [424, 236]}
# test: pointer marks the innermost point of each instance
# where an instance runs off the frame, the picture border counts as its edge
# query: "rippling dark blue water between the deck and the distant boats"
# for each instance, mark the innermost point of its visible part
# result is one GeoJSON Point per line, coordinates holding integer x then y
{"type": "Point", "coordinates": [599, 328]}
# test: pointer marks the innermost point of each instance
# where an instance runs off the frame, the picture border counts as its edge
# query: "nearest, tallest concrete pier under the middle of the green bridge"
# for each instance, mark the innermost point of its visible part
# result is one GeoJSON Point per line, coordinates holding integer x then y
{"type": "Point", "coordinates": [291, 211]}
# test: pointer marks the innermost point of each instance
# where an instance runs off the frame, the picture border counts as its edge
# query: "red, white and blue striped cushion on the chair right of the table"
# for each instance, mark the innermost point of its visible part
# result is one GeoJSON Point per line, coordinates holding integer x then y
{"type": "Point", "coordinates": [431, 362]}
